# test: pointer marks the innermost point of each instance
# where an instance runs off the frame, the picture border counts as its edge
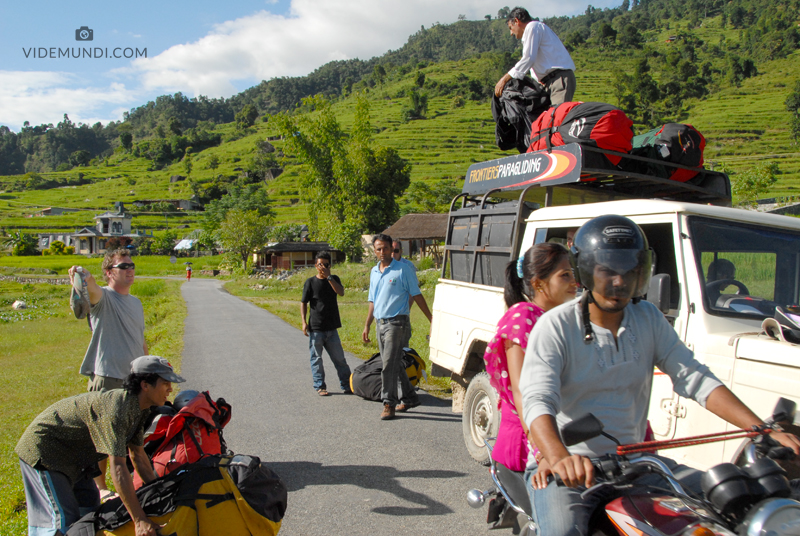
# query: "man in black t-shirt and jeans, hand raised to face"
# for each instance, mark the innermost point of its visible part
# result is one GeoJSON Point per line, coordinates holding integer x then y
{"type": "Point", "coordinates": [320, 293]}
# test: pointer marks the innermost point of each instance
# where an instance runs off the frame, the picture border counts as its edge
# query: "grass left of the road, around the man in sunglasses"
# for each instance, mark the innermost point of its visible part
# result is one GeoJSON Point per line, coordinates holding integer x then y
{"type": "Point", "coordinates": [40, 353]}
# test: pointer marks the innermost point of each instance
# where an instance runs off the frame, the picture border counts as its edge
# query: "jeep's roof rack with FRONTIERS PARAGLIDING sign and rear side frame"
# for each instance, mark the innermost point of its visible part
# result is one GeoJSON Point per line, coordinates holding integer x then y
{"type": "Point", "coordinates": [483, 233]}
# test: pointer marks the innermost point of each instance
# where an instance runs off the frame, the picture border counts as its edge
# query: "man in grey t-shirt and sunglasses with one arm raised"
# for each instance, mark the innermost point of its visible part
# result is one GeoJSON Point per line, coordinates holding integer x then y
{"type": "Point", "coordinates": [117, 321]}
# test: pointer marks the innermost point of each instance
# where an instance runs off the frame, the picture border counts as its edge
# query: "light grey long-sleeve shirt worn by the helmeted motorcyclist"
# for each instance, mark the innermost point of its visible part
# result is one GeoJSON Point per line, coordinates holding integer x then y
{"type": "Point", "coordinates": [567, 378]}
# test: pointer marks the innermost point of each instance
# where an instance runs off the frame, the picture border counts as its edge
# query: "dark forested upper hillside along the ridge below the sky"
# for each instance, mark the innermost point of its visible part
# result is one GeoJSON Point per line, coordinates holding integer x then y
{"type": "Point", "coordinates": [655, 87]}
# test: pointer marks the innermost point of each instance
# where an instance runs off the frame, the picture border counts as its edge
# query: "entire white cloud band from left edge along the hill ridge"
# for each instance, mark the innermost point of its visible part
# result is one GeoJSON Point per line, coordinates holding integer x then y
{"type": "Point", "coordinates": [242, 52]}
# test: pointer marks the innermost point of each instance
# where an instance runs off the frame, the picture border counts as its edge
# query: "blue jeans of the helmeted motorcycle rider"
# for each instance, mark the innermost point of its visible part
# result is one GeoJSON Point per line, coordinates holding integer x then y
{"type": "Point", "coordinates": [560, 511]}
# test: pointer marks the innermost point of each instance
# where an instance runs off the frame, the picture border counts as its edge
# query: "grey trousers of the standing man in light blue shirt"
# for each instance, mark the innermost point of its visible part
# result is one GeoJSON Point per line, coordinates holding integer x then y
{"type": "Point", "coordinates": [393, 335]}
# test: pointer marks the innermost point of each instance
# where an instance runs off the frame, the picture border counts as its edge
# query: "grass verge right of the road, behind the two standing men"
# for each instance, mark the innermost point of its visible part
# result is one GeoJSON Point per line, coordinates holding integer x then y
{"type": "Point", "coordinates": [282, 298]}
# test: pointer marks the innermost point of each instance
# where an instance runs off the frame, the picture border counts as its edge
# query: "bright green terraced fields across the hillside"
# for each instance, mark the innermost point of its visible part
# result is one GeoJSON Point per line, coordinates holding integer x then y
{"type": "Point", "coordinates": [742, 125]}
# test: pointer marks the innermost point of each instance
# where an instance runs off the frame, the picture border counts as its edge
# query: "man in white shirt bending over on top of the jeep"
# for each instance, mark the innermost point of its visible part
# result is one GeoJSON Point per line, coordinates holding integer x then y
{"type": "Point", "coordinates": [543, 54]}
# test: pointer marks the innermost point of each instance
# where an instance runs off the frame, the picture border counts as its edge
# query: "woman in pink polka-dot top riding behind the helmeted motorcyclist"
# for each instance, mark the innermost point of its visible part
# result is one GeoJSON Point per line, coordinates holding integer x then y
{"type": "Point", "coordinates": [540, 280]}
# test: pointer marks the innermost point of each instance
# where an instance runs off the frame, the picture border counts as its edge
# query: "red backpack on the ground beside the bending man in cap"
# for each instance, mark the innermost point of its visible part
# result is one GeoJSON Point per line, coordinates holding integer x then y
{"type": "Point", "coordinates": [189, 435]}
